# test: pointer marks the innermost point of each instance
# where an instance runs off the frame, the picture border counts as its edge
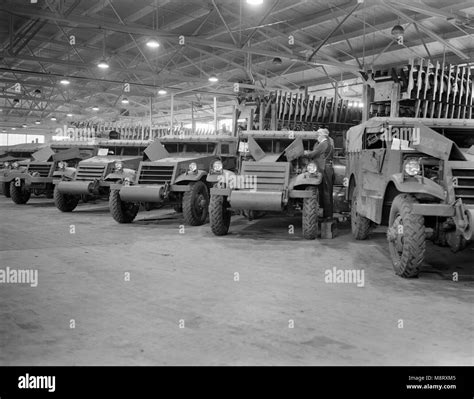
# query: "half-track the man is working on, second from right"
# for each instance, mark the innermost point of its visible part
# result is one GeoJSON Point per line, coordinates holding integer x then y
{"type": "Point", "coordinates": [273, 177]}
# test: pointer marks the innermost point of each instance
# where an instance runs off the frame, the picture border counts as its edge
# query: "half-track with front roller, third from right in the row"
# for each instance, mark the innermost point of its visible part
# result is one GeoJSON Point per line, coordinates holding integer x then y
{"type": "Point", "coordinates": [179, 172]}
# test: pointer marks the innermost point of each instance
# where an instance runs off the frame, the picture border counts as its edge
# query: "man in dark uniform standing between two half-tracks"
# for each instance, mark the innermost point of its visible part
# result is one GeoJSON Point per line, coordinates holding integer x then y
{"type": "Point", "coordinates": [322, 155]}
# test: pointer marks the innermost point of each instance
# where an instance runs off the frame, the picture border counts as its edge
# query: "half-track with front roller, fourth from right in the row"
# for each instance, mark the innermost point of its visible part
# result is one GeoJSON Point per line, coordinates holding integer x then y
{"type": "Point", "coordinates": [115, 161]}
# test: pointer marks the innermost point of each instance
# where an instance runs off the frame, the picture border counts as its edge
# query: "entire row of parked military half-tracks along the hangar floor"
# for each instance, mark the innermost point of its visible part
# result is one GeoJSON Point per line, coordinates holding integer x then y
{"type": "Point", "coordinates": [415, 176]}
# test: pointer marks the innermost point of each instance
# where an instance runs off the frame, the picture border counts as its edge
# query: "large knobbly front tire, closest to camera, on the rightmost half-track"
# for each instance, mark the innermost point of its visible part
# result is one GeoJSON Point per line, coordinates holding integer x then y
{"type": "Point", "coordinates": [414, 237]}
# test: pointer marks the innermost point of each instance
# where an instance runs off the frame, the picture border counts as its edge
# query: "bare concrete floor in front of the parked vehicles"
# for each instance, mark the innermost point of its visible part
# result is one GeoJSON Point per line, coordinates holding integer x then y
{"type": "Point", "coordinates": [190, 277]}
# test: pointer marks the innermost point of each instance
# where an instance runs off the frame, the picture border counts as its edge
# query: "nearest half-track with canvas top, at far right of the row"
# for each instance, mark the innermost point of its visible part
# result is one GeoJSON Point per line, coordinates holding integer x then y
{"type": "Point", "coordinates": [415, 176]}
